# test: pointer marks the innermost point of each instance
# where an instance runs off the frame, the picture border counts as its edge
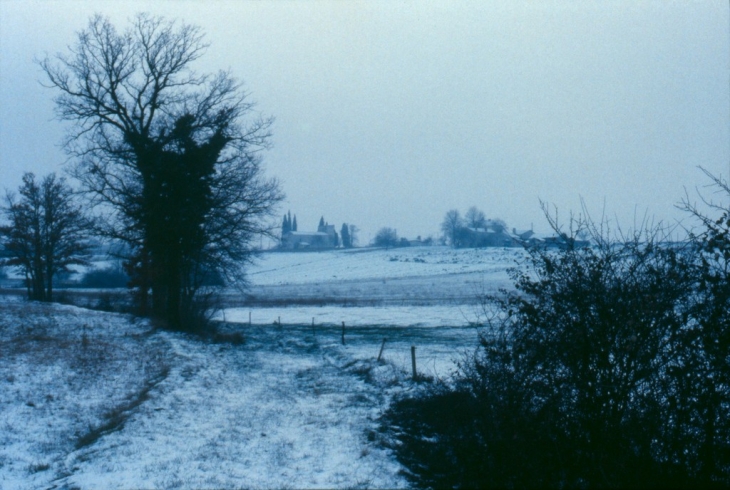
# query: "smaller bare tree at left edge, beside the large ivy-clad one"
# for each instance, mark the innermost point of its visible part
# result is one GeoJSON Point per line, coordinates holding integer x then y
{"type": "Point", "coordinates": [46, 232]}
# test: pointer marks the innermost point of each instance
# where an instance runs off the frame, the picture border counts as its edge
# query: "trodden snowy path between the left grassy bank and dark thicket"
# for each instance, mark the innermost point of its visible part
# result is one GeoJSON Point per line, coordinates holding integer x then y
{"type": "Point", "coordinates": [273, 413]}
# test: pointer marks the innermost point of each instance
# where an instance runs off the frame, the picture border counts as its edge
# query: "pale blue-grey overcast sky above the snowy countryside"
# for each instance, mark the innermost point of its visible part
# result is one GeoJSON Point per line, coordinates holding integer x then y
{"type": "Point", "coordinates": [391, 113]}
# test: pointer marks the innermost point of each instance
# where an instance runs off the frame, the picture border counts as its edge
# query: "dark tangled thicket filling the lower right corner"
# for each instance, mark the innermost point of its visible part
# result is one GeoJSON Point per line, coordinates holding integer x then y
{"type": "Point", "coordinates": [607, 366]}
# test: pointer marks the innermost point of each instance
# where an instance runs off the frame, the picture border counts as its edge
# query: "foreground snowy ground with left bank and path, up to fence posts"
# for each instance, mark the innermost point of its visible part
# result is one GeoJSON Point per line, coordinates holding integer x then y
{"type": "Point", "coordinates": [130, 407]}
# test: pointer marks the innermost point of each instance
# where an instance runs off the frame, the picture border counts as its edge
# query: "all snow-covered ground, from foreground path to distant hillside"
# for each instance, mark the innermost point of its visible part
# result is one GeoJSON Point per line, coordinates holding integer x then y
{"type": "Point", "coordinates": [99, 400]}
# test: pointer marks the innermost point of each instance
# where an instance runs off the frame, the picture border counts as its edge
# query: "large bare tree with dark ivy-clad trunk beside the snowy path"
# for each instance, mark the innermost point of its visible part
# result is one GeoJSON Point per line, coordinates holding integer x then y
{"type": "Point", "coordinates": [171, 156]}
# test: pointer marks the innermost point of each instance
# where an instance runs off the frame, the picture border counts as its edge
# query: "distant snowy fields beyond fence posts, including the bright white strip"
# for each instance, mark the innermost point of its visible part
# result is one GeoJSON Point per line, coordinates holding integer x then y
{"type": "Point", "coordinates": [405, 287]}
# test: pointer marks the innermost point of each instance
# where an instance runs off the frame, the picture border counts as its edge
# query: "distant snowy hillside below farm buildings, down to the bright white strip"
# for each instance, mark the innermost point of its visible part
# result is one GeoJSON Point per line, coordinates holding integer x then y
{"type": "Point", "coordinates": [418, 276]}
